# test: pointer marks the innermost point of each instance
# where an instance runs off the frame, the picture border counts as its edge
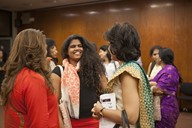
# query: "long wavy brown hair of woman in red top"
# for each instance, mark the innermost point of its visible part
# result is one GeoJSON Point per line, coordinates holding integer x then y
{"type": "Point", "coordinates": [28, 50]}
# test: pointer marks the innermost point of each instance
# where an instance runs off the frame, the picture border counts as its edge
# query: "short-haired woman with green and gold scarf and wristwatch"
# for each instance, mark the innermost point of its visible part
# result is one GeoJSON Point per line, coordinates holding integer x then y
{"type": "Point", "coordinates": [129, 82]}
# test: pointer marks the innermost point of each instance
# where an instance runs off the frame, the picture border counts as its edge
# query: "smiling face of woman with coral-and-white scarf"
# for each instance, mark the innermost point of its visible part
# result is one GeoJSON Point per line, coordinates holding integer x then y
{"type": "Point", "coordinates": [75, 51]}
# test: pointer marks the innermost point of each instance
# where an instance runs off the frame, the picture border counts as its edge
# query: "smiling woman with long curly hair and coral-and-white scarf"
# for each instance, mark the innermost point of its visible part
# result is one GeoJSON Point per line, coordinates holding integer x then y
{"type": "Point", "coordinates": [83, 77]}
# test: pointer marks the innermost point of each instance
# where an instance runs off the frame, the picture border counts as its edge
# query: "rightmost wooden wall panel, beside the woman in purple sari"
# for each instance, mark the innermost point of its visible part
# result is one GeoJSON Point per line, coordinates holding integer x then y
{"type": "Point", "coordinates": [183, 38]}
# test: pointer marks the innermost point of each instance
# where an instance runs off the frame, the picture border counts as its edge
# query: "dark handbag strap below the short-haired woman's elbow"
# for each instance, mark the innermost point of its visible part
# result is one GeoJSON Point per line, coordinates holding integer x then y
{"type": "Point", "coordinates": [125, 121]}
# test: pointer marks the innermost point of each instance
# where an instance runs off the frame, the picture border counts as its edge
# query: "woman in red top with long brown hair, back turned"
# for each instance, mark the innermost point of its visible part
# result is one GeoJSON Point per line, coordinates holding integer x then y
{"type": "Point", "coordinates": [27, 93]}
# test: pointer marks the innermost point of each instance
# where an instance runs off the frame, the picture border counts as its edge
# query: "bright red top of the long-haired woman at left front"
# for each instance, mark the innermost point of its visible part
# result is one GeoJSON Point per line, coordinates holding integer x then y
{"type": "Point", "coordinates": [30, 103]}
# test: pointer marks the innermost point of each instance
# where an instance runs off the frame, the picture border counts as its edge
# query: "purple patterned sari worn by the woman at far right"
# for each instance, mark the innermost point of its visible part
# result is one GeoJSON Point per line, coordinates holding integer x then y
{"type": "Point", "coordinates": [168, 80]}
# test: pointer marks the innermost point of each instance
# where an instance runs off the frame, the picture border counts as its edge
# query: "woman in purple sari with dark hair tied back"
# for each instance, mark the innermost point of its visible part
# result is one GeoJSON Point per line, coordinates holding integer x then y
{"type": "Point", "coordinates": [165, 84]}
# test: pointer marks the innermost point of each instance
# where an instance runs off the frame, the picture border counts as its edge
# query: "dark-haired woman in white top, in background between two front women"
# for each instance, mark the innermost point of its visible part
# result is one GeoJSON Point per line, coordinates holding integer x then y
{"type": "Point", "coordinates": [110, 65]}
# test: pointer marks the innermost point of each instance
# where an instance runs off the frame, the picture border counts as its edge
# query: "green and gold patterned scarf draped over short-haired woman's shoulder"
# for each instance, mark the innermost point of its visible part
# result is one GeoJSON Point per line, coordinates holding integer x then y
{"type": "Point", "coordinates": [146, 119]}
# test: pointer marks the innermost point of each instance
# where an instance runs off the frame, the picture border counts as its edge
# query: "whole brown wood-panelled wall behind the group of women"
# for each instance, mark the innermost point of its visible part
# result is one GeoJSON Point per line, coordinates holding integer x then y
{"type": "Point", "coordinates": [167, 23]}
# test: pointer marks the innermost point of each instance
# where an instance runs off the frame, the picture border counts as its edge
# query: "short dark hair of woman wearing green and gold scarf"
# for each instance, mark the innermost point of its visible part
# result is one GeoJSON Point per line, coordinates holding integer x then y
{"type": "Point", "coordinates": [124, 42]}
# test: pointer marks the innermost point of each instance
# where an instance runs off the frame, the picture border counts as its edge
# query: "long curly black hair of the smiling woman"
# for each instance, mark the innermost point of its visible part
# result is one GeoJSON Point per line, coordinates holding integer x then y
{"type": "Point", "coordinates": [91, 67]}
